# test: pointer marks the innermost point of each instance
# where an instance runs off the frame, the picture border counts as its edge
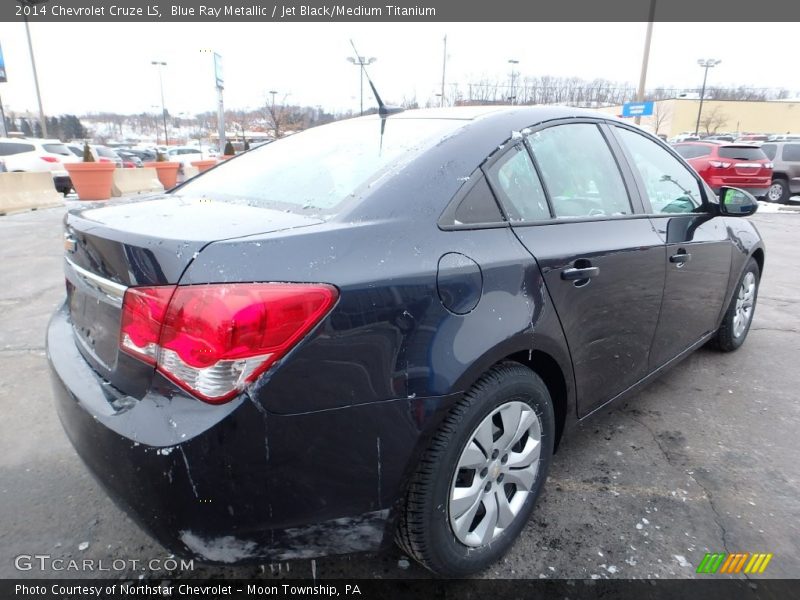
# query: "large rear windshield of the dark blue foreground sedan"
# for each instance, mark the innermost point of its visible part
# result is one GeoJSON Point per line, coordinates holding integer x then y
{"type": "Point", "coordinates": [321, 167]}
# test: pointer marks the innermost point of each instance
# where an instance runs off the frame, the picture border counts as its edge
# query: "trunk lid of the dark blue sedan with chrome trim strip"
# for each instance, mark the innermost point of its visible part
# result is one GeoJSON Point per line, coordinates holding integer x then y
{"type": "Point", "coordinates": [111, 248]}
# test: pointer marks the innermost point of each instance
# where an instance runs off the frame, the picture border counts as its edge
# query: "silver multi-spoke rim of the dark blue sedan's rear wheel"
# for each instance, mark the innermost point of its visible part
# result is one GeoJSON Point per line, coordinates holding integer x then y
{"type": "Point", "coordinates": [495, 473]}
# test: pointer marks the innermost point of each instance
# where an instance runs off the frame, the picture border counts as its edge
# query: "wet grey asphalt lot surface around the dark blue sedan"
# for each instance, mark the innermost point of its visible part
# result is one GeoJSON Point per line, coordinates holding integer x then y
{"type": "Point", "coordinates": [704, 460]}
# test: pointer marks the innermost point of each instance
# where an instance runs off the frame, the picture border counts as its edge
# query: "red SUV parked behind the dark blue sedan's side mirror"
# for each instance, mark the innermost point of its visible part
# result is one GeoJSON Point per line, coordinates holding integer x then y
{"type": "Point", "coordinates": [738, 165]}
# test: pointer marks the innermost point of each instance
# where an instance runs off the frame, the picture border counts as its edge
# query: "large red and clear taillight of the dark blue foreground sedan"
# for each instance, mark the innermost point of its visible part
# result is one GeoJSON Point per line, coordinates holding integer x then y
{"type": "Point", "coordinates": [212, 340]}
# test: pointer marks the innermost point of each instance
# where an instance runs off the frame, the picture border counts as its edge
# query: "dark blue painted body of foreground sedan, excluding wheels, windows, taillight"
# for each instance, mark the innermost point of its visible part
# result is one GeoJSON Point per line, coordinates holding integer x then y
{"type": "Point", "coordinates": [315, 456]}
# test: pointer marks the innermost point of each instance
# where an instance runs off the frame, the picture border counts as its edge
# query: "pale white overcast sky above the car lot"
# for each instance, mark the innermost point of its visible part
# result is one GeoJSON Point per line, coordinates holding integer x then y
{"type": "Point", "coordinates": [106, 67]}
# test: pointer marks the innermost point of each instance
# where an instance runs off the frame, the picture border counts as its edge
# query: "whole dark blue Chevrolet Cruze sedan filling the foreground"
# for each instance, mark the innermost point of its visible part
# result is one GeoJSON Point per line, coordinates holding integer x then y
{"type": "Point", "coordinates": [379, 329]}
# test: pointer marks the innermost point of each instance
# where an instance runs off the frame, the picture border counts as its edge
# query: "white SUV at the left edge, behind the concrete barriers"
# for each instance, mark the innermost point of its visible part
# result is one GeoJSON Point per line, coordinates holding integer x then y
{"type": "Point", "coordinates": [25, 154]}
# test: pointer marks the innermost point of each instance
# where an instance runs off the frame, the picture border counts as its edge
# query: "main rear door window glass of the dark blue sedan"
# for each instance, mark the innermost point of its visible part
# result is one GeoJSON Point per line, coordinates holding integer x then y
{"type": "Point", "coordinates": [579, 172]}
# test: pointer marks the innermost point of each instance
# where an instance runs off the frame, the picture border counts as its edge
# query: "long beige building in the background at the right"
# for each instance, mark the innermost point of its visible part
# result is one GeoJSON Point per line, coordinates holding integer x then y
{"type": "Point", "coordinates": [676, 116]}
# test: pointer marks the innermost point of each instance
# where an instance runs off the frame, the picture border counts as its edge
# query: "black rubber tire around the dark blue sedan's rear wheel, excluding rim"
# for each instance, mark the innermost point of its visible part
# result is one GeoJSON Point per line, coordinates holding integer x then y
{"type": "Point", "coordinates": [424, 531]}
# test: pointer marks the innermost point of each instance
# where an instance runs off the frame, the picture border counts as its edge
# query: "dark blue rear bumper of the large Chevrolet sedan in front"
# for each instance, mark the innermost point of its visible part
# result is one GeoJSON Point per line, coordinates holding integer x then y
{"type": "Point", "coordinates": [234, 483]}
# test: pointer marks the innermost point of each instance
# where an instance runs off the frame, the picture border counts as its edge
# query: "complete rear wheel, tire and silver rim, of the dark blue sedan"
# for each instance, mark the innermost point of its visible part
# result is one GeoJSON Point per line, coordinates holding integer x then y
{"type": "Point", "coordinates": [478, 482]}
